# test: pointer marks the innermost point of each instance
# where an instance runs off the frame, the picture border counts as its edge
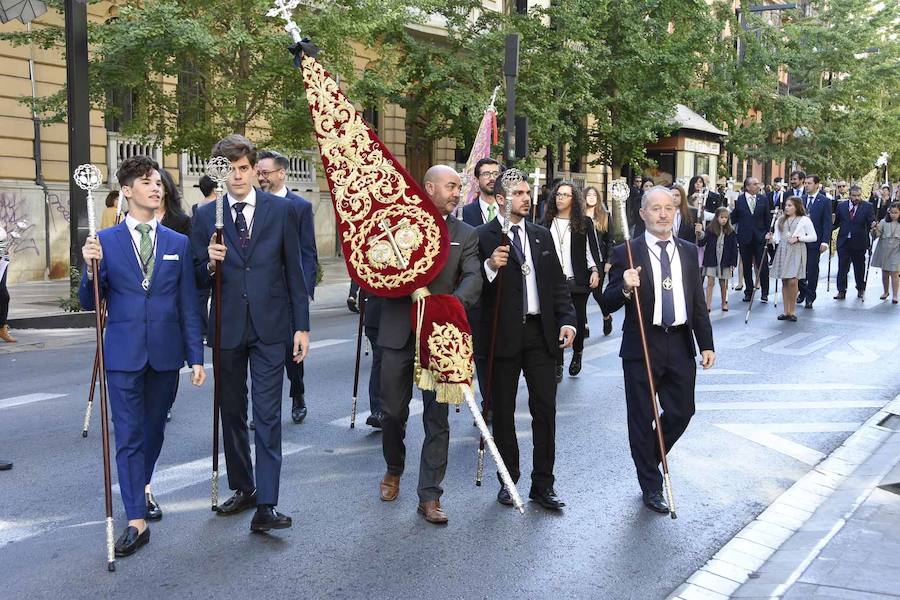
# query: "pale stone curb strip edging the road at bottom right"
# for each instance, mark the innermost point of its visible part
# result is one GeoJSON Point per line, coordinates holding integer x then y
{"type": "Point", "coordinates": [751, 547]}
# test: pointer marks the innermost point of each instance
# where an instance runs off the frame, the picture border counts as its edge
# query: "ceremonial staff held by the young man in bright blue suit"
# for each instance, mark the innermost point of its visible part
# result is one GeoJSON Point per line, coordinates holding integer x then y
{"type": "Point", "coordinates": [89, 178]}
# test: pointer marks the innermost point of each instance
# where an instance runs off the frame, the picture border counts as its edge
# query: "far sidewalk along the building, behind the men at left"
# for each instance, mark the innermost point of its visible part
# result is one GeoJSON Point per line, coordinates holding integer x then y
{"type": "Point", "coordinates": [38, 301]}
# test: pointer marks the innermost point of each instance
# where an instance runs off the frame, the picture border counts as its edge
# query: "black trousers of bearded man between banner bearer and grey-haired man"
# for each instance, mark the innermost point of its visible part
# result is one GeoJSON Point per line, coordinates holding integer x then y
{"type": "Point", "coordinates": [539, 365]}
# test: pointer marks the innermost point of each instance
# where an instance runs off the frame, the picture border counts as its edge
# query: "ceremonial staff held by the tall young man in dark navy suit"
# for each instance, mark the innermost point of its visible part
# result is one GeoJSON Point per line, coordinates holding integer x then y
{"type": "Point", "coordinates": [218, 169]}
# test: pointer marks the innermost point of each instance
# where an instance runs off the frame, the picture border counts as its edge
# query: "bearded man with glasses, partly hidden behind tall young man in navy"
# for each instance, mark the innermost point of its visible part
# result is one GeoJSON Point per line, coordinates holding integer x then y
{"type": "Point", "coordinates": [271, 172]}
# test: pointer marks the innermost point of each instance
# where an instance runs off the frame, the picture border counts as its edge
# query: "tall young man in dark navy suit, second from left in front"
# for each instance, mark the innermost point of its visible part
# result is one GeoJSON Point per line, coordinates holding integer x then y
{"type": "Point", "coordinates": [263, 291]}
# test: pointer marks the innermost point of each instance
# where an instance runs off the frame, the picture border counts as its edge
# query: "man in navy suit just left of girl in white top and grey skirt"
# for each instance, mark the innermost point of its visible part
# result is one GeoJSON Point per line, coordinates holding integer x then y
{"type": "Point", "coordinates": [752, 217]}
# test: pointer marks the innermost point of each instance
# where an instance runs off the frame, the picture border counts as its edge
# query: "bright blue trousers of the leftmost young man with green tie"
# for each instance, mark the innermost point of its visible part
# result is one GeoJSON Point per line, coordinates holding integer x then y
{"type": "Point", "coordinates": [138, 402]}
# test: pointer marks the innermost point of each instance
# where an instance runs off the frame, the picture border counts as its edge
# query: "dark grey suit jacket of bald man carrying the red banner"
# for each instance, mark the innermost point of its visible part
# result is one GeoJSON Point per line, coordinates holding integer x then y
{"type": "Point", "coordinates": [460, 277]}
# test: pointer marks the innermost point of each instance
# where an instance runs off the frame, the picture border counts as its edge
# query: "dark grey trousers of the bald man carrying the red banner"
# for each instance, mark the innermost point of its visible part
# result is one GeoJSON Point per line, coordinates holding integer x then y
{"type": "Point", "coordinates": [396, 386]}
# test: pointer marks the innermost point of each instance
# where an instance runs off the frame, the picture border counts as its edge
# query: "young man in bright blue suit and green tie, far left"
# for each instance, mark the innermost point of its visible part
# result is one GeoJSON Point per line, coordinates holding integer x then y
{"type": "Point", "coordinates": [153, 326]}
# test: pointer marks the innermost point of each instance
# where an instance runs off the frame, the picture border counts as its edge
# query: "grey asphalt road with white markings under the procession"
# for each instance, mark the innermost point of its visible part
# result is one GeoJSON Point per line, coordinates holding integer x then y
{"type": "Point", "coordinates": [782, 396]}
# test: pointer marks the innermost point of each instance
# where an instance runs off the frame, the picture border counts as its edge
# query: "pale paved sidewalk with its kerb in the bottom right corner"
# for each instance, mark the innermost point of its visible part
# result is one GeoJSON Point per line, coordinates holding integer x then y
{"type": "Point", "coordinates": [835, 534]}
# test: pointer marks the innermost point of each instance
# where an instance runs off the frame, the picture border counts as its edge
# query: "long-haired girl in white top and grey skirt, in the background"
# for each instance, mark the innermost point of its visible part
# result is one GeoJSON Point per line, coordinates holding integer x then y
{"type": "Point", "coordinates": [793, 229]}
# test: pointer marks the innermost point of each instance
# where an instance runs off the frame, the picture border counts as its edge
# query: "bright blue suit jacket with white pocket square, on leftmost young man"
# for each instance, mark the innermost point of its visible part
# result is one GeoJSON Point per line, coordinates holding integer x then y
{"type": "Point", "coordinates": [159, 327]}
